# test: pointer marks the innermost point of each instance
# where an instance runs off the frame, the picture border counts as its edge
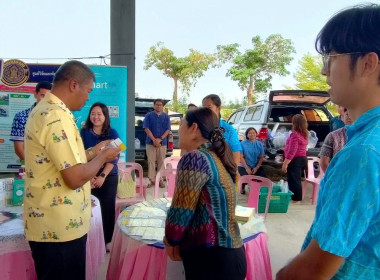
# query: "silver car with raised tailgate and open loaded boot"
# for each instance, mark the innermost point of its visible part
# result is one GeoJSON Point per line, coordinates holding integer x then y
{"type": "Point", "coordinates": [275, 116]}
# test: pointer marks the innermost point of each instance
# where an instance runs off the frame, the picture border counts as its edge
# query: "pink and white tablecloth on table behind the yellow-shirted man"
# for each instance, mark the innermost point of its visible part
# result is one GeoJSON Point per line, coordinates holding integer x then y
{"type": "Point", "coordinates": [16, 260]}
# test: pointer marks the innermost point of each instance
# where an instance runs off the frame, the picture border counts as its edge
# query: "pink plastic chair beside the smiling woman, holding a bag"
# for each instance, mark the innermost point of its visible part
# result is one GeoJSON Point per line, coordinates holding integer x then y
{"type": "Point", "coordinates": [141, 186]}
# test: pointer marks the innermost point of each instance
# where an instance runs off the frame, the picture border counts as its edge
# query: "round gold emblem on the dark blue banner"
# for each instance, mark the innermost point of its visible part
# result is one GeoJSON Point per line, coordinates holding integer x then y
{"type": "Point", "coordinates": [15, 73]}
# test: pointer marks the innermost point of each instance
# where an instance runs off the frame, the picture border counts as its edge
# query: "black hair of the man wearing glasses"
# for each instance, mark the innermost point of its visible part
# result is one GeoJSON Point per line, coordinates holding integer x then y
{"type": "Point", "coordinates": [353, 30]}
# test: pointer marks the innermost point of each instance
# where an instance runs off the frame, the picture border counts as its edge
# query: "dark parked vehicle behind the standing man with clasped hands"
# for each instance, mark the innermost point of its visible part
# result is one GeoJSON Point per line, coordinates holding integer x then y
{"type": "Point", "coordinates": [142, 107]}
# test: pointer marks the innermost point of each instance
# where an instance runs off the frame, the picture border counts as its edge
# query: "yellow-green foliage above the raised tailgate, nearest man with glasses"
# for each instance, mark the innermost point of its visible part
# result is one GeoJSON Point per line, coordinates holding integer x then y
{"type": "Point", "coordinates": [308, 75]}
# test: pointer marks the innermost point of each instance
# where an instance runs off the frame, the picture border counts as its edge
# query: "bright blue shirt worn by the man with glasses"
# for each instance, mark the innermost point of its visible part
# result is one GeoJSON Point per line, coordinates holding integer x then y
{"type": "Point", "coordinates": [347, 217]}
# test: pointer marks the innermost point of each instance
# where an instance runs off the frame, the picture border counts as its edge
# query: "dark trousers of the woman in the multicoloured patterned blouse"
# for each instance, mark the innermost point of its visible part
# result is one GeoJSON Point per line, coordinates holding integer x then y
{"type": "Point", "coordinates": [215, 263]}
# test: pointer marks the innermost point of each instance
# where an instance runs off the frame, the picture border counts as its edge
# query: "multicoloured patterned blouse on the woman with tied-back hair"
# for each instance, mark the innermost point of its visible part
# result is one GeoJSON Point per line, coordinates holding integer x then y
{"type": "Point", "coordinates": [202, 212]}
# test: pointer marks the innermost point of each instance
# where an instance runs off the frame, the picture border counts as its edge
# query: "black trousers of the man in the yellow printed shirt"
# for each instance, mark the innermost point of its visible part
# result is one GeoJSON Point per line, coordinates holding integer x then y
{"type": "Point", "coordinates": [60, 260]}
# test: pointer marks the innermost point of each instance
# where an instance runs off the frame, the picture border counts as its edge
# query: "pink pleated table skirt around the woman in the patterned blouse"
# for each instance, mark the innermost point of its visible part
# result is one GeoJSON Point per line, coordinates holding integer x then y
{"type": "Point", "coordinates": [131, 259]}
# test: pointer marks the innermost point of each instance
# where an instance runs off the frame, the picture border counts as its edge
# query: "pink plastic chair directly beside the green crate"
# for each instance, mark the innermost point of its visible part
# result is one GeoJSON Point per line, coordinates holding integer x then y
{"type": "Point", "coordinates": [256, 183]}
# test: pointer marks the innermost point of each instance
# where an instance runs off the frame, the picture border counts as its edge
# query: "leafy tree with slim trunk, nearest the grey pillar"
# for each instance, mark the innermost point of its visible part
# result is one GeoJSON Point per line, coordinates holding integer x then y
{"type": "Point", "coordinates": [185, 70]}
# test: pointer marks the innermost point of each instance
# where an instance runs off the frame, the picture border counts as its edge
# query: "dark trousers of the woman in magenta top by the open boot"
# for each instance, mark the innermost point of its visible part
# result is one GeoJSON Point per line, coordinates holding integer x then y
{"type": "Point", "coordinates": [294, 172]}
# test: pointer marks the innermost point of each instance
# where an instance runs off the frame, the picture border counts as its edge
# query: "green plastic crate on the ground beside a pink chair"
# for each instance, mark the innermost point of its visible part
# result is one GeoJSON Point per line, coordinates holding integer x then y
{"type": "Point", "coordinates": [279, 201]}
